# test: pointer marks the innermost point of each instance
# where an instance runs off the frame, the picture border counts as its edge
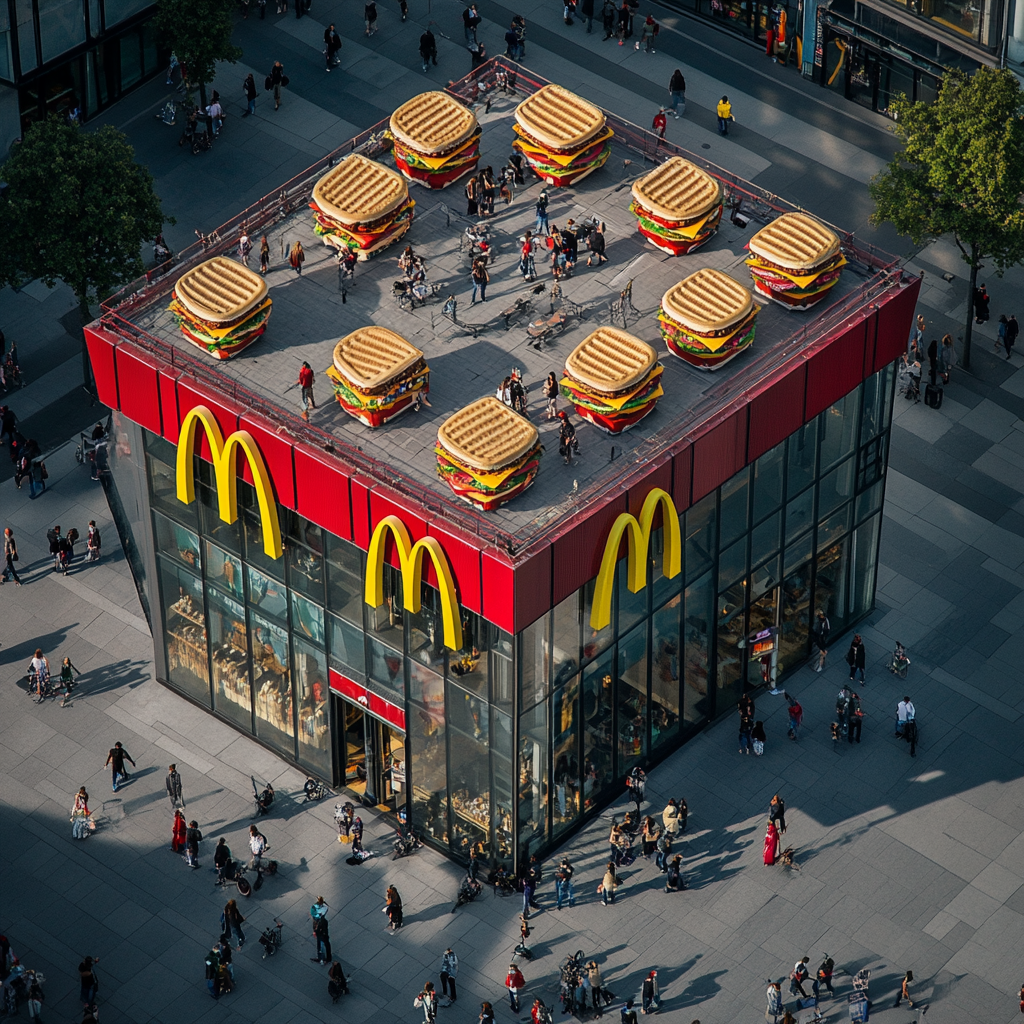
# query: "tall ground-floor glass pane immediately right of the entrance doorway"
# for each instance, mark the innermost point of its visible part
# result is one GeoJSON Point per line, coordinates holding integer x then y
{"type": "Point", "coordinates": [428, 751]}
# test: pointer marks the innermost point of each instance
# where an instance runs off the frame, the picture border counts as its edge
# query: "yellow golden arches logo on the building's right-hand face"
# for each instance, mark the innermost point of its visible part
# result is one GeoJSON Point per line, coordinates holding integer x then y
{"type": "Point", "coordinates": [639, 544]}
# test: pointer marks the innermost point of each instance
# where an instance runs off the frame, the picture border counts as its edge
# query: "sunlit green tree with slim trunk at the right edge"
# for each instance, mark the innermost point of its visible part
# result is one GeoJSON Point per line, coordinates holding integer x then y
{"type": "Point", "coordinates": [961, 173]}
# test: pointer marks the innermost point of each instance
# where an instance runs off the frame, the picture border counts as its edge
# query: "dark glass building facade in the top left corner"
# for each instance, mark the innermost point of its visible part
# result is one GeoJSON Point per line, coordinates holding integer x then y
{"type": "Point", "coordinates": [63, 56]}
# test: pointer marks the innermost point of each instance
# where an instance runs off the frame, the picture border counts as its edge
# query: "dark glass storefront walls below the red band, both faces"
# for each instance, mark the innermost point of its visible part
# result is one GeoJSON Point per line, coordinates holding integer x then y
{"type": "Point", "coordinates": [515, 741]}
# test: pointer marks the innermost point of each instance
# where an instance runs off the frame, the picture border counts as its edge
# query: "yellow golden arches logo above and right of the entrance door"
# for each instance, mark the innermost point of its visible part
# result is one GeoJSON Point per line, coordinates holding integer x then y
{"type": "Point", "coordinates": [411, 561]}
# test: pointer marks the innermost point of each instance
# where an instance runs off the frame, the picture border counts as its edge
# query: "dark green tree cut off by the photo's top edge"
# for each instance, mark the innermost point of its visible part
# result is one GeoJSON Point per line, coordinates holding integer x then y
{"type": "Point", "coordinates": [200, 34]}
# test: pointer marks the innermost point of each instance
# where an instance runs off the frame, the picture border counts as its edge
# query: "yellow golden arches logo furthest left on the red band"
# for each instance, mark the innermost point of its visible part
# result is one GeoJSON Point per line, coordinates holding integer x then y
{"type": "Point", "coordinates": [223, 453]}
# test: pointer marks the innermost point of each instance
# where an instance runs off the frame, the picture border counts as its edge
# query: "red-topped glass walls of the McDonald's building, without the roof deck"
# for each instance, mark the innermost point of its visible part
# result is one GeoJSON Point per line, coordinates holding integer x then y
{"type": "Point", "coordinates": [399, 646]}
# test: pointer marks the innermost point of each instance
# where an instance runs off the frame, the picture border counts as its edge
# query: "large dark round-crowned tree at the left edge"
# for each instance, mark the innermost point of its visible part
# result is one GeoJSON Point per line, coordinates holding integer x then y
{"type": "Point", "coordinates": [77, 209]}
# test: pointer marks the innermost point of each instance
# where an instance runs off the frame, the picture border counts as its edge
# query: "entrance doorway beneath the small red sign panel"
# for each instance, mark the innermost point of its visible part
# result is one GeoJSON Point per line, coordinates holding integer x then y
{"type": "Point", "coordinates": [373, 755]}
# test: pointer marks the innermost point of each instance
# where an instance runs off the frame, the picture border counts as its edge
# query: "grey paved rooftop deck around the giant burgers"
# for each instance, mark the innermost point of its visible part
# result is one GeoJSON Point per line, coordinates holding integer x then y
{"type": "Point", "coordinates": [312, 313]}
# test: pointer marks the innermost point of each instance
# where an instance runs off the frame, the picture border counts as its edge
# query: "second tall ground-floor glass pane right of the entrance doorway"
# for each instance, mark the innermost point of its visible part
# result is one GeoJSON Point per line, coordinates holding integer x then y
{"type": "Point", "coordinates": [470, 771]}
